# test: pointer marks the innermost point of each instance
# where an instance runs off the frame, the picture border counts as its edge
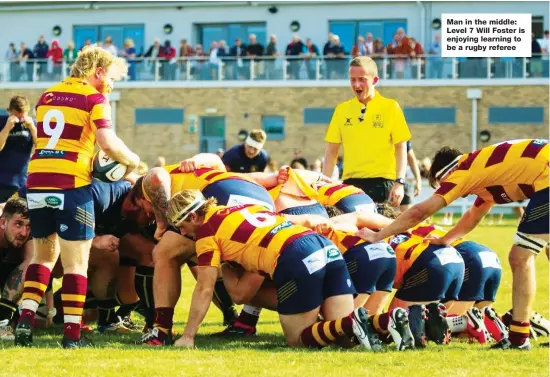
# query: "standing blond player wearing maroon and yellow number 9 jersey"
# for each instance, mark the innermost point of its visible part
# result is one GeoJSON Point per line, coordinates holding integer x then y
{"type": "Point", "coordinates": [71, 117]}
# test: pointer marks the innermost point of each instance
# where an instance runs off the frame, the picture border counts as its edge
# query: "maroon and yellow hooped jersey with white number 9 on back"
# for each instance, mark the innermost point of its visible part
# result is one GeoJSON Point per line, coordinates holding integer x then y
{"type": "Point", "coordinates": [68, 115]}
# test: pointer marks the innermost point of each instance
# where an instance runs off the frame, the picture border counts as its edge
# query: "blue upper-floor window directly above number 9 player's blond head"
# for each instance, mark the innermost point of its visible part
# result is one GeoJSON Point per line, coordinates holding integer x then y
{"type": "Point", "coordinates": [117, 32]}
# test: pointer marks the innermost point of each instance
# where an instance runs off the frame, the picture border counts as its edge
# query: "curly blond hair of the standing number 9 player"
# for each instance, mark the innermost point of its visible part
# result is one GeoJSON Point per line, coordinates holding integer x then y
{"type": "Point", "coordinates": [92, 57]}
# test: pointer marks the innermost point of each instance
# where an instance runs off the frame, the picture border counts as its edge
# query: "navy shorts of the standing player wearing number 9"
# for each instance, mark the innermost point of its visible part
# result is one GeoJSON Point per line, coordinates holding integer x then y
{"type": "Point", "coordinates": [69, 213]}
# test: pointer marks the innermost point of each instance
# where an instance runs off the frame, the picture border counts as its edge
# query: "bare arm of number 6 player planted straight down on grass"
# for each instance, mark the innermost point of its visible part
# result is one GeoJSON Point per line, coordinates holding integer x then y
{"type": "Point", "coordinates": [200, 301]}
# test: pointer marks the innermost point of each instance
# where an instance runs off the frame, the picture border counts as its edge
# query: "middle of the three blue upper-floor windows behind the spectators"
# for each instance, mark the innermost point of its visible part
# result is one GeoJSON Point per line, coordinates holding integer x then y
{"type": "Point", "coordinates": [207, 33]}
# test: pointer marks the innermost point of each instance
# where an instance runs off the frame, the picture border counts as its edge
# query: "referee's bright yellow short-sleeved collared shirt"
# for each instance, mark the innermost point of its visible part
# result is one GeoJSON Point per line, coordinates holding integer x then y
{"type": "Point", "coordinates": [369, 145]}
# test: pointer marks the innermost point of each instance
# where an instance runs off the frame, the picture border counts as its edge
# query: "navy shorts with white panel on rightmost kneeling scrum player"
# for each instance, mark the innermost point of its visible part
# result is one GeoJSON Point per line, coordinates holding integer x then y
{"type": "Point", "coordinates": [482, 272]}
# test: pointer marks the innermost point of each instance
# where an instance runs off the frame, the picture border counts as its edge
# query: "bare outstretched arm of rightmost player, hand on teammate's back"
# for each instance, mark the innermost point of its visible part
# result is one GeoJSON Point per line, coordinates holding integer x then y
{"type": "Point", "coordinates": [411, 217]}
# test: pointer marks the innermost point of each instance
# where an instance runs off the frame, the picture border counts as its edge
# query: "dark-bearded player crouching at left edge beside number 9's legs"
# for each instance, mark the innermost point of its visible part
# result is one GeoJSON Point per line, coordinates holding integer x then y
{"type": "Point", "coordinates": [16, 254]}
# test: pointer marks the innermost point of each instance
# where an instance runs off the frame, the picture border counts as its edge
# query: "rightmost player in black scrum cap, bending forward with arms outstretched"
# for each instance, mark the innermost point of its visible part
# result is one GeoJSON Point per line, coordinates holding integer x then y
{"type": "Point", "coordinates": [502, 173]}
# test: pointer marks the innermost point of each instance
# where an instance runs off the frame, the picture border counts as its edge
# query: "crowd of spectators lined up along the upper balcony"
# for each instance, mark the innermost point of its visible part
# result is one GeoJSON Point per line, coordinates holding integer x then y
{"type": "Point", "coordinates": [403, 57]}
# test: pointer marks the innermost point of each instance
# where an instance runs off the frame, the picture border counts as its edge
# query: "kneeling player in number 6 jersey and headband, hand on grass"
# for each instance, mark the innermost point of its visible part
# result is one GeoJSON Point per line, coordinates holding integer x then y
{"type": "Point", "coordinates": [308, 270]}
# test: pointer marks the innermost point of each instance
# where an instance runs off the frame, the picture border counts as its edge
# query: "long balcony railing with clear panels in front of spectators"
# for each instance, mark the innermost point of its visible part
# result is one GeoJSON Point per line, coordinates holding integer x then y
{"type": "Point", "coordinates": [392, 67]}
